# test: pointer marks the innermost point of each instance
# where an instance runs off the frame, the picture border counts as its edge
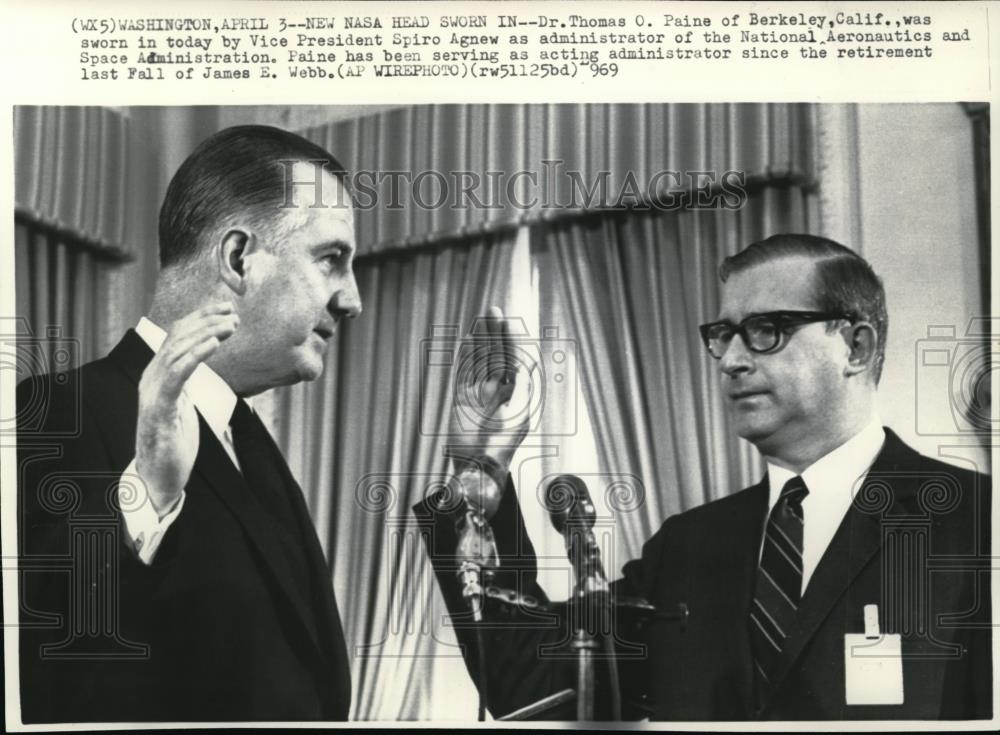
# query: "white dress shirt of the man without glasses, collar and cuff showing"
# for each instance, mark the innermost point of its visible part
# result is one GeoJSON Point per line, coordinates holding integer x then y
{"type": "Point", "coordinates": [215, 401]}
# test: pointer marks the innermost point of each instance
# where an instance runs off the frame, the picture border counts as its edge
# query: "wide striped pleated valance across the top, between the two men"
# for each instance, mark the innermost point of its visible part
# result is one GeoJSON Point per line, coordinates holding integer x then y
{"type": "Point", "coordinates": [768, 141]}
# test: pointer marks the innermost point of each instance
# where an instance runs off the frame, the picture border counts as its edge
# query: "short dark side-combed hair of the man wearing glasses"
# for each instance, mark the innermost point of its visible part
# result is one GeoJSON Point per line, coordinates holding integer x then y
{"type": "Point", "coordinates": [845, 282]}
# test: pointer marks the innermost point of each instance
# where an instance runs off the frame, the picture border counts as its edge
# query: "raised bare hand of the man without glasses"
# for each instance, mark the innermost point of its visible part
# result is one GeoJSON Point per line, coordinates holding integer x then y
{"type": "Point", "coordinates": [166, 436]}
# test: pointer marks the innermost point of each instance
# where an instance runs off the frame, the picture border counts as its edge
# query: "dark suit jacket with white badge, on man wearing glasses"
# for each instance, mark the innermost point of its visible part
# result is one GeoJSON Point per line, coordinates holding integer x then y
{"type": "Point", "coordinates": [915, 542]}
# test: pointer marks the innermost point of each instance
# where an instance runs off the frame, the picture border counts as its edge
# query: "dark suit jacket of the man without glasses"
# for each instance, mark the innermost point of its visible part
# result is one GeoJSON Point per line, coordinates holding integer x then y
{"type": "Point", "coordinates": [217, 628]}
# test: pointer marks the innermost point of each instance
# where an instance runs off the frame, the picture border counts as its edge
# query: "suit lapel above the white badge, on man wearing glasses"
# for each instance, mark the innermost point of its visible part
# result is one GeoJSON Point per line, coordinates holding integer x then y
{"type": "Point", "coordinates": [856, 543]}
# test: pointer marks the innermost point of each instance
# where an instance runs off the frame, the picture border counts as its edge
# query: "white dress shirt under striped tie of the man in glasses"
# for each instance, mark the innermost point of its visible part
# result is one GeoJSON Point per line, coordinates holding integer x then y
{"type": "Point", "coordinates": [833, 481]}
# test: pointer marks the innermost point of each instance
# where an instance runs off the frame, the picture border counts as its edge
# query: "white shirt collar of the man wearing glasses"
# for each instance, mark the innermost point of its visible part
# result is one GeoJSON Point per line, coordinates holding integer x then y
{"type": "Point", "coordinates": [837, 472]}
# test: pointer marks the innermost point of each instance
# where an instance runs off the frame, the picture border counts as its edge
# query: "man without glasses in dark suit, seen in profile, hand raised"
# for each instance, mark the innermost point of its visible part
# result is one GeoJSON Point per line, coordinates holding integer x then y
{"type": "Point", "coordinates": [169, 567]}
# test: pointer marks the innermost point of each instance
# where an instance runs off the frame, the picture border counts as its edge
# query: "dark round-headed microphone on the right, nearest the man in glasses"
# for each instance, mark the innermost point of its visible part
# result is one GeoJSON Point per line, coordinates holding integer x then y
{"type": "Point", "coordinates": [573, 514]}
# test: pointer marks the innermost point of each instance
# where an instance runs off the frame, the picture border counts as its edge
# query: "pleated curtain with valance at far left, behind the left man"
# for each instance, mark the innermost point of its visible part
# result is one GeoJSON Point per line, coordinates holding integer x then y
{"type": "Point", "coordinates": [71, 184]}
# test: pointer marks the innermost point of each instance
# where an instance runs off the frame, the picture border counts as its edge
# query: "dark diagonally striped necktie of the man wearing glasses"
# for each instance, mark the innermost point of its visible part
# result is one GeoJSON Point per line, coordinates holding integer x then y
{"type": "Point", "coordinates": [779, 581]}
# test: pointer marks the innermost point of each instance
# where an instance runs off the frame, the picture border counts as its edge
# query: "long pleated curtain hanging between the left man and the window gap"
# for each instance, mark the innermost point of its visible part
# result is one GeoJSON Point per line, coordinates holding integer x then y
{"type": "Point", "coordinates": [366, 442]}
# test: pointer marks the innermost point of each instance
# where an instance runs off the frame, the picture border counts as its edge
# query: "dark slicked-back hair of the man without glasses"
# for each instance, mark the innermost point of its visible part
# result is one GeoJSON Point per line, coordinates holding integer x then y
{"type": "Point", "coordinates": [234, 171]}
